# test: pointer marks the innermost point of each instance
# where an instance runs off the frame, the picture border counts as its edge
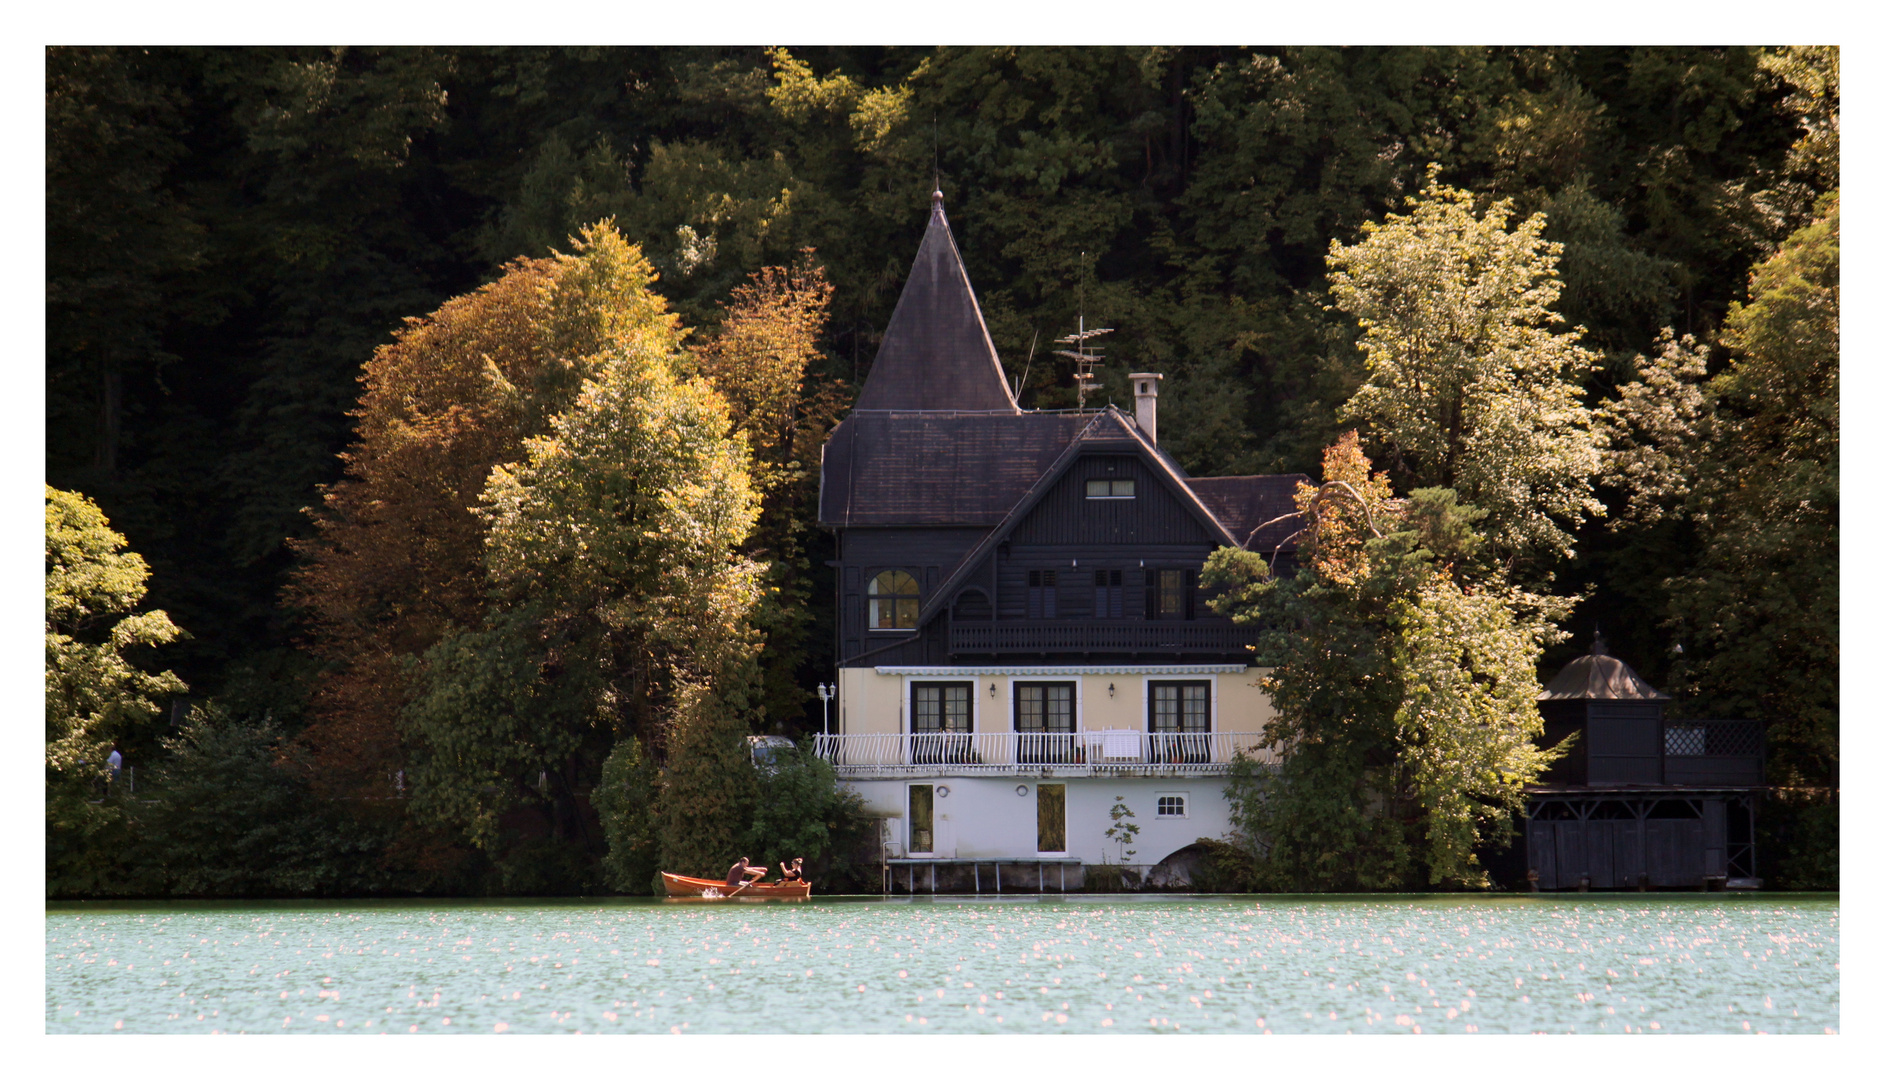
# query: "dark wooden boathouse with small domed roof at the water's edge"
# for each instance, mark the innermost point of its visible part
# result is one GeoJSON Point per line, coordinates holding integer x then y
{"type": "Point", "coordinates": [1639, 800]}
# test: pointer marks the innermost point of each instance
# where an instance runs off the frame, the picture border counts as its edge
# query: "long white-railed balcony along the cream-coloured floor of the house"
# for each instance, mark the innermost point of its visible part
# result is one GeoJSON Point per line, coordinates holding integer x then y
{"type": "Point", "coordinates": [1119, 753]}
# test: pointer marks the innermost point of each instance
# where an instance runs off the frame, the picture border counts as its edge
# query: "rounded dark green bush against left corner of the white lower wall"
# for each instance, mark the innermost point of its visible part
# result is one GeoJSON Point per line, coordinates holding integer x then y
{"type": "Point", "coordinates": [802, 813]}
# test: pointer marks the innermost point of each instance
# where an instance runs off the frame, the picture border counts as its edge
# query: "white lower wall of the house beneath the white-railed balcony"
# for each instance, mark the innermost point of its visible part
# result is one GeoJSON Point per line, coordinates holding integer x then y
{"type": "Point", "coordinates": [1002, 817]}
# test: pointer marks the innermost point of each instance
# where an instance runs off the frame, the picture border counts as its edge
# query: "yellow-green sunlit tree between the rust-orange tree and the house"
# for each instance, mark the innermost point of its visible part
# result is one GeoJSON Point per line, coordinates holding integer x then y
{"type": "Point", "coordinates": [614, 578]}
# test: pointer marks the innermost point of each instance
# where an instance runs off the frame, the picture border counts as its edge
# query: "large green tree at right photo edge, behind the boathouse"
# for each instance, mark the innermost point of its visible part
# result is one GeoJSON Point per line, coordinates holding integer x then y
{"type": "Point", "coordinates": [1760, 608]}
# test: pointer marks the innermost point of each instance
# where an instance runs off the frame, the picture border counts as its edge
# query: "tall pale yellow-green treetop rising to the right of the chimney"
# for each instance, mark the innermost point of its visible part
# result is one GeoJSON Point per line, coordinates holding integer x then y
{"type": "Point", "coordinates": [1469, 387]}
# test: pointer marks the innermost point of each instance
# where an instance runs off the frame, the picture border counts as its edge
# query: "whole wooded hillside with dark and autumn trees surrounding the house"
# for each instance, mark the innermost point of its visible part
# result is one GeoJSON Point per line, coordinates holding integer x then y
{"type": "Point", "coordinates": [433, 434]}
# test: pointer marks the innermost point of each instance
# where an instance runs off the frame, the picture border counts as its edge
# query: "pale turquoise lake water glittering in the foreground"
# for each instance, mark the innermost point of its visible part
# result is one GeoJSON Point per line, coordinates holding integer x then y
{"type": "Point", "coordinates": [1660, 962]}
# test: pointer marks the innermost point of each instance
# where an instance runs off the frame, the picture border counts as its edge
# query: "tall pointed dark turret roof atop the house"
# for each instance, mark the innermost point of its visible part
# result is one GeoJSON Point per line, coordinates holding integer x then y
{"type": "Point", "coordinates": [938, 355]}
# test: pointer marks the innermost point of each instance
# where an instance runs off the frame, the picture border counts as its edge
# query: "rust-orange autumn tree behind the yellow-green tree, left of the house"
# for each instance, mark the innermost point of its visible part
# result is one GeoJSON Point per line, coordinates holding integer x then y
{"type": "Point", "coordinates": [399, 555]}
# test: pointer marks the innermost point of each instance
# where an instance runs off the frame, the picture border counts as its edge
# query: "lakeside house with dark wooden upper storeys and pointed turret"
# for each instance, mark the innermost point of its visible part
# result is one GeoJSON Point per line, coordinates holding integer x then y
{"type": "Point", "coordinates": [1023, 640]}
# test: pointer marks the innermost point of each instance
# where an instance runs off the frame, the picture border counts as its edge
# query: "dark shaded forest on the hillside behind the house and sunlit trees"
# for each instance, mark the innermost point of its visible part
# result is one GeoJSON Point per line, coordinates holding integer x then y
{"type": "Point", "coordinates": [235, 231]}
